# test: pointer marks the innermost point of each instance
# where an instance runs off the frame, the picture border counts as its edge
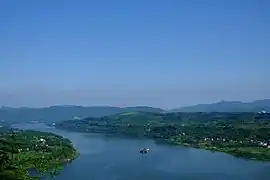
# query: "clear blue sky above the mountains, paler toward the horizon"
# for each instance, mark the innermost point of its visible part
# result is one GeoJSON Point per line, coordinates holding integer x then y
{"type": "Point", "coordinates": [143, 52]}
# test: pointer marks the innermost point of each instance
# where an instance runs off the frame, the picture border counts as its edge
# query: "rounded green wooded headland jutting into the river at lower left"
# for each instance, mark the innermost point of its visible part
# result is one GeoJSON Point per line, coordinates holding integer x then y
{"type": "Point", "coordinates": [23, 152]}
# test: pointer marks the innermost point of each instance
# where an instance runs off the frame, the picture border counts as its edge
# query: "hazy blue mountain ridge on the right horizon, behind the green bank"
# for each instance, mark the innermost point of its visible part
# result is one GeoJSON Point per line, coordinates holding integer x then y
{"type": "Point", "coordinates": [228, 106]}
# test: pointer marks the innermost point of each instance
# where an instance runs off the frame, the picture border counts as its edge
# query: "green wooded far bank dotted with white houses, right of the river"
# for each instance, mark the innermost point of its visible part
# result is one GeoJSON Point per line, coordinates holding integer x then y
{"type": "Point", "coordinates": [240, 134]}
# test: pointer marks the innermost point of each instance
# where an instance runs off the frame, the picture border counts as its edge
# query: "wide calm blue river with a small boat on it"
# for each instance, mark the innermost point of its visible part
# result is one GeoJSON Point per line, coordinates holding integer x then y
{"type": "Point", "coordinates": [110, 158]}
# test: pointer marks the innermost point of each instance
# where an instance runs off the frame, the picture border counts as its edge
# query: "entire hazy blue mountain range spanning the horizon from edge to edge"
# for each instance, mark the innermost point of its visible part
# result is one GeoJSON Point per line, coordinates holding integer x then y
{"type": "Point", "coordinates": [66, 112]}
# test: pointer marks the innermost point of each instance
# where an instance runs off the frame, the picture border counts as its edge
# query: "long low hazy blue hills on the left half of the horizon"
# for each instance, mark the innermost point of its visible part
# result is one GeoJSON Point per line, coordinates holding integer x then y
{"type": "Point", "coordinates": [59, 113]}
